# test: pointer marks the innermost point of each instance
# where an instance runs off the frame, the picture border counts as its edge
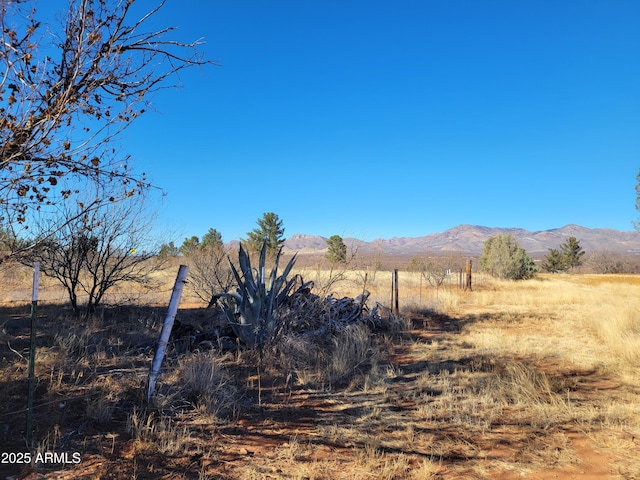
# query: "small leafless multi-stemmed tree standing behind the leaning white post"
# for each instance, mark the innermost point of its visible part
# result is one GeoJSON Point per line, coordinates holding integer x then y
{"type": "Point", "coordinates": [98, 250]}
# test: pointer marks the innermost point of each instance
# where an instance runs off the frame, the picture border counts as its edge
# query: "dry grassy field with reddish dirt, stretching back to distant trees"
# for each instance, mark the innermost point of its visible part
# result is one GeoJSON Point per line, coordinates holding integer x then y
{"type": "Point", "coordinates": [532, 379]}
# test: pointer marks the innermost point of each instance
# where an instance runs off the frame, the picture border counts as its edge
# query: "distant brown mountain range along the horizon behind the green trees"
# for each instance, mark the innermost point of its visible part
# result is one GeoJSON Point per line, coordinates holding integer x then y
{"type": "Point", "coordinates": [468, 239]}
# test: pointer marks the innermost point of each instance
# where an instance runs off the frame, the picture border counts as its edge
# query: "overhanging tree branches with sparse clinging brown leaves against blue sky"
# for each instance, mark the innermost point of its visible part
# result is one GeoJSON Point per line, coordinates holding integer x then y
{"type": "Point", "coordinates": [68, 90]}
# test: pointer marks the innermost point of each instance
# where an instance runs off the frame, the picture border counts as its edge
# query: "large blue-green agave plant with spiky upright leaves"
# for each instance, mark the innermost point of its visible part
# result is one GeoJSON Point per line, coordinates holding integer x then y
{"type": "Point", "coordinates": [252, 310]}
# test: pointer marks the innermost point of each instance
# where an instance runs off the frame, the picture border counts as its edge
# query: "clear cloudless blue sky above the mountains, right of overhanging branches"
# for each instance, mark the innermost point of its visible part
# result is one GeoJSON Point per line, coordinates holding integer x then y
{"type": "Point", "coordinates": [380, 119]}
